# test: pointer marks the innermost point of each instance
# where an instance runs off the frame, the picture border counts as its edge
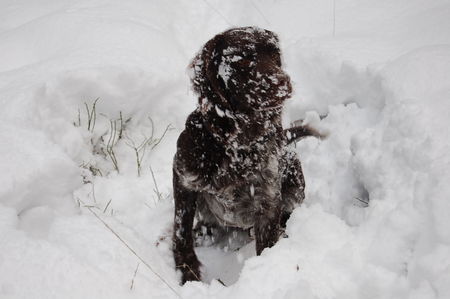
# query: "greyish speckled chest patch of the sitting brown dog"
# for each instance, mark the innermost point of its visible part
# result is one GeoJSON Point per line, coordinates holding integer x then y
{"type": "Point", "coordinates": [252, 184]}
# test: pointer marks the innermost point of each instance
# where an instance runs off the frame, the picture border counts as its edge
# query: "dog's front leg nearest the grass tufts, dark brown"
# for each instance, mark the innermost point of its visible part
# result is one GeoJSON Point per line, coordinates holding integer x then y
{"type": "Point", "coordinates": [183, 244]}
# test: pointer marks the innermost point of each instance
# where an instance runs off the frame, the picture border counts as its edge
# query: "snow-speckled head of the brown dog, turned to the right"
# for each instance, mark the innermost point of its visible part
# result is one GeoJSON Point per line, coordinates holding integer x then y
{"type": "Point", "coordinates": [239, 71]}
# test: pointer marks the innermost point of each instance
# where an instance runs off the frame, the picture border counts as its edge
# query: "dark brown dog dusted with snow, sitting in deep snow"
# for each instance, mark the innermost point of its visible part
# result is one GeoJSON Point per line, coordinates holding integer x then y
{"type": "Point", "coordinates": [232, 169]}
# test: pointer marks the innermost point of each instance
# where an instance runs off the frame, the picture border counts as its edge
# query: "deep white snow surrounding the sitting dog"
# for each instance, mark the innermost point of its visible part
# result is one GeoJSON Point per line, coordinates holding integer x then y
{"type": "Point", "coordinates": [374, 74]}
